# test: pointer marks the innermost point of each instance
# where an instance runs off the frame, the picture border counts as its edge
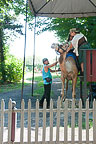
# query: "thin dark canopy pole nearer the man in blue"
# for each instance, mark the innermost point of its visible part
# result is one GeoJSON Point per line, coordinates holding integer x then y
{"type": "Point", "coordinates": [33, 56]}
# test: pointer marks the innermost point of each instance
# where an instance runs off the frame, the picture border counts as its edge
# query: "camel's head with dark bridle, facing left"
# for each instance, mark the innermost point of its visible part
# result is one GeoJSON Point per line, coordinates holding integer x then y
{"type": "Point", "coordinates": [61, 48]}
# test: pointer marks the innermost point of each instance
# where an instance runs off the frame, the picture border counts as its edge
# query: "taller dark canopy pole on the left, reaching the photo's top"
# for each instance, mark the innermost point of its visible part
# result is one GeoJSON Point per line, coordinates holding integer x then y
{"type": "Point", "coordinates": [24, 51]}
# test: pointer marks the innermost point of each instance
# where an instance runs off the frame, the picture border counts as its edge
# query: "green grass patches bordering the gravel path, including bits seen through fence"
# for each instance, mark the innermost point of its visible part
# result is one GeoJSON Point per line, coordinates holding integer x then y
{"type": "Point", "coordinates": [38, 91]}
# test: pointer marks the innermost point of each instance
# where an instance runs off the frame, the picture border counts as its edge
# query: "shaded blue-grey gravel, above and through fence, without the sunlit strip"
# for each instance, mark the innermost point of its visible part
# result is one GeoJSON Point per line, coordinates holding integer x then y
{"type": "Point", "coordinates": [15, 95]}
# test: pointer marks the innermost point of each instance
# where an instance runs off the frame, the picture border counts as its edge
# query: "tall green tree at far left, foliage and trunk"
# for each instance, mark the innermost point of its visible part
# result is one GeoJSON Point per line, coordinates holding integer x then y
{"type": "Point", "coordinates": [9, 25]}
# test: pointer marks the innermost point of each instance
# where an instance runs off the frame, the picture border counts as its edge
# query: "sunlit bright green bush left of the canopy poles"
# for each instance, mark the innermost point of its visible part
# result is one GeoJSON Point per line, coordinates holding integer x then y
{"type": "Point", "coordinates": [13, 69]}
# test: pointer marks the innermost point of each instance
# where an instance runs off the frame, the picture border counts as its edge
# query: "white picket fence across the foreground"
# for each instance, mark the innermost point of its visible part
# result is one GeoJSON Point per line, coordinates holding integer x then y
{"type": "Point", "coordinates": [49, 133]}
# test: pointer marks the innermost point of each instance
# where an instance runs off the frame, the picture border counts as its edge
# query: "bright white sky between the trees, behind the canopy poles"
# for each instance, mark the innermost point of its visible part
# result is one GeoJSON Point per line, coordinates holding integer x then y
{"type": "Point", "coordinates": [43, 44]}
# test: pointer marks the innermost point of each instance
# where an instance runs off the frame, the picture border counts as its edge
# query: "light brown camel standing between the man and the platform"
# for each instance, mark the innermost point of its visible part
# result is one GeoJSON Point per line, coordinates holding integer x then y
{"type": "Point", "coordinates": [68, 68]}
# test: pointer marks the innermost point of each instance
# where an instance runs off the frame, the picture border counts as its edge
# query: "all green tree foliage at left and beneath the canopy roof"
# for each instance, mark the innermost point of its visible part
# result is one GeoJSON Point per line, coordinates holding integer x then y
{"type": "Point", "coordinates": [9, 26]}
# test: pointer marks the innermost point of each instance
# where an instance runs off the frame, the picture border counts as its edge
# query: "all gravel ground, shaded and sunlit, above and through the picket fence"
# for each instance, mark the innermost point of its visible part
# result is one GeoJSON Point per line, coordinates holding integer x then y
{"type": "Point", "coordinates": [15, 95]}
